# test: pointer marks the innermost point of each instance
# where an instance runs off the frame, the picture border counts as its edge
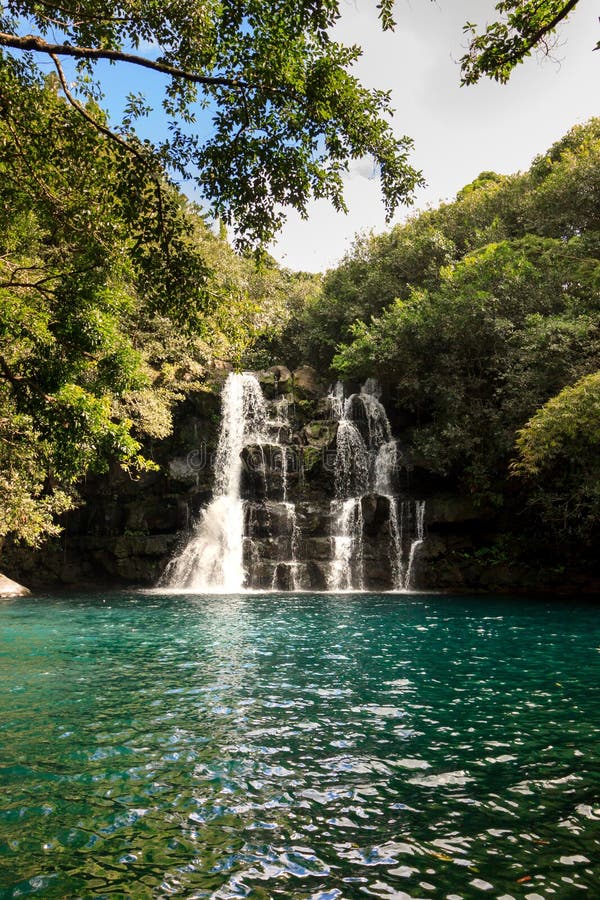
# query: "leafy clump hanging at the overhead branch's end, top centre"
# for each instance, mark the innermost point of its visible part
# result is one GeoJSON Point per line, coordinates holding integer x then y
{"type": "Point", "coordinates": [291, 135]}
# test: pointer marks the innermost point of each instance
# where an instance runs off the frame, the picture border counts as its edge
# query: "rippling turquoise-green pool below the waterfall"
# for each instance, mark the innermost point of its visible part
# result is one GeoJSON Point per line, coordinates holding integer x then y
{"type": "Point", "coordinates": [275, 746]}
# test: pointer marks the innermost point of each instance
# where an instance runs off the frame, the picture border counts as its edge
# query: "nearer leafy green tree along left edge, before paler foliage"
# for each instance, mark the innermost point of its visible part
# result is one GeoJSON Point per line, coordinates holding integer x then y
{"type": "Point", "coordinates": [71, 272]}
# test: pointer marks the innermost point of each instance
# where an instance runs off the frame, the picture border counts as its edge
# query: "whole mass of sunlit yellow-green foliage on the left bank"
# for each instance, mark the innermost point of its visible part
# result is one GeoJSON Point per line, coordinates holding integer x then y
{"type": "Point", "coordinates": [114, 297]}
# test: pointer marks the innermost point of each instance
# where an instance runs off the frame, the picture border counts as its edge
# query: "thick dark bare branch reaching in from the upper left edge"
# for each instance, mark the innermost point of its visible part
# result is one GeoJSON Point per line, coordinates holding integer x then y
{"type": "Point", "coordinates": [39, 45]}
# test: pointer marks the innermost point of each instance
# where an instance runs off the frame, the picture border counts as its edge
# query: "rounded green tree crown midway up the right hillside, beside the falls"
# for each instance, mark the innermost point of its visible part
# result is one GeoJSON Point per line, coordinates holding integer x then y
{"type": "Point", "coordinates": [473, 358]}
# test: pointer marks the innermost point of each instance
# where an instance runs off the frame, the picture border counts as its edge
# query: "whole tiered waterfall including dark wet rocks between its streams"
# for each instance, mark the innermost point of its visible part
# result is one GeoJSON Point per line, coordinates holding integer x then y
{"type": "Point", "coordinates": [261, 529]}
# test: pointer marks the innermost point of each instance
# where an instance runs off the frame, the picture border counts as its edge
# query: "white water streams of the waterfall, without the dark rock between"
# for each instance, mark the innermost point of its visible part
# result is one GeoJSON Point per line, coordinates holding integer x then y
{"type": "Point", "coordinates": [212, 561]}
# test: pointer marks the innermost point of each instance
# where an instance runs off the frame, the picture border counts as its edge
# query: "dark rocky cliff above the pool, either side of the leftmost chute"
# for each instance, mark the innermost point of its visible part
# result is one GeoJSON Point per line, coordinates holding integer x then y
{"type": "Point", "coordinates": [307, 525]}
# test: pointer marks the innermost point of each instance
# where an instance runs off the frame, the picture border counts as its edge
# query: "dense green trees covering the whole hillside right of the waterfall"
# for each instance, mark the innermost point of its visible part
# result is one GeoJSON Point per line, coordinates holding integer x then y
{"type": "Point", "coordinates": [474, 315]}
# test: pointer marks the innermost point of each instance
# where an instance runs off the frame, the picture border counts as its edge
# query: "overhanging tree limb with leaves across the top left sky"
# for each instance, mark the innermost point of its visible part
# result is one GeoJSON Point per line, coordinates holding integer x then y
{"type": "Point", "coordinates": [287, 114]}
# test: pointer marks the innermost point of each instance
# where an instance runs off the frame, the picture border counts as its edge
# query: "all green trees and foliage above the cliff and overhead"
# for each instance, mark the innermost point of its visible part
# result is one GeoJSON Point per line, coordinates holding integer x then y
{"type": "Point", "coordinates": [117, 297]}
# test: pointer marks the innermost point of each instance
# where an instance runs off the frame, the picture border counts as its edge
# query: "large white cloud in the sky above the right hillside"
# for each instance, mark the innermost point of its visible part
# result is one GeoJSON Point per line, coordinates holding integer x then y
{"type": "Point", "coordinates": [458, 132]}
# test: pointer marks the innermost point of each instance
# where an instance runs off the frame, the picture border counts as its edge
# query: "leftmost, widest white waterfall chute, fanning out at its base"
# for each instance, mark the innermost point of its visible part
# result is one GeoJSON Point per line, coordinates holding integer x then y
{"type": "Point", "coordinates": [212, 560]}
